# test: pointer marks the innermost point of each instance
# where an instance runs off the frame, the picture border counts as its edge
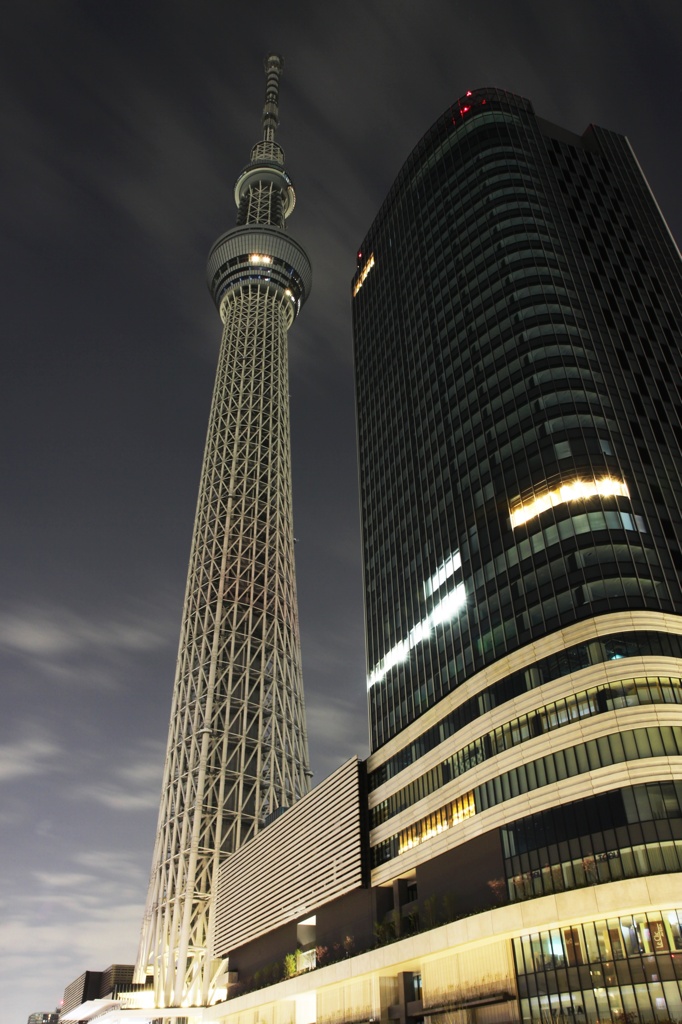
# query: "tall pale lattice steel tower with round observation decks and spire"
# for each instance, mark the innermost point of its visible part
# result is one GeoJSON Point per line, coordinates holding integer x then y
{"type": "Point", "coordinates": [237, 747]}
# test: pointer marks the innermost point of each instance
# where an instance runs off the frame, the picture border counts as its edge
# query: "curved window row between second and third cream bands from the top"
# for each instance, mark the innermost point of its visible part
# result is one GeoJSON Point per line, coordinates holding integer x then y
{"type": "Point", "coordinates": [575, 708]}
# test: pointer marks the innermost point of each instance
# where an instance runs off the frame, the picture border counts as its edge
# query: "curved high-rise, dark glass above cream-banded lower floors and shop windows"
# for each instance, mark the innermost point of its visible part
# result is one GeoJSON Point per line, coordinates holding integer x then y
{"type": "Point", "coordinates": [518, 311]}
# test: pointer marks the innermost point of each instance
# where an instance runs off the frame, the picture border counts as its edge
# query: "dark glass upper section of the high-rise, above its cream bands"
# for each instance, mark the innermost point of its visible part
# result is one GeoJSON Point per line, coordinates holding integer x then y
{"type": "Point", "coordinates": [517, 321]}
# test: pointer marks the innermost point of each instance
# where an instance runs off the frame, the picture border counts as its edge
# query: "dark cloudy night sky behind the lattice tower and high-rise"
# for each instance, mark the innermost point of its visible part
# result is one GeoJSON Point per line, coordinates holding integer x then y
{"type": "Point", "coordinates": [124, 125]}
